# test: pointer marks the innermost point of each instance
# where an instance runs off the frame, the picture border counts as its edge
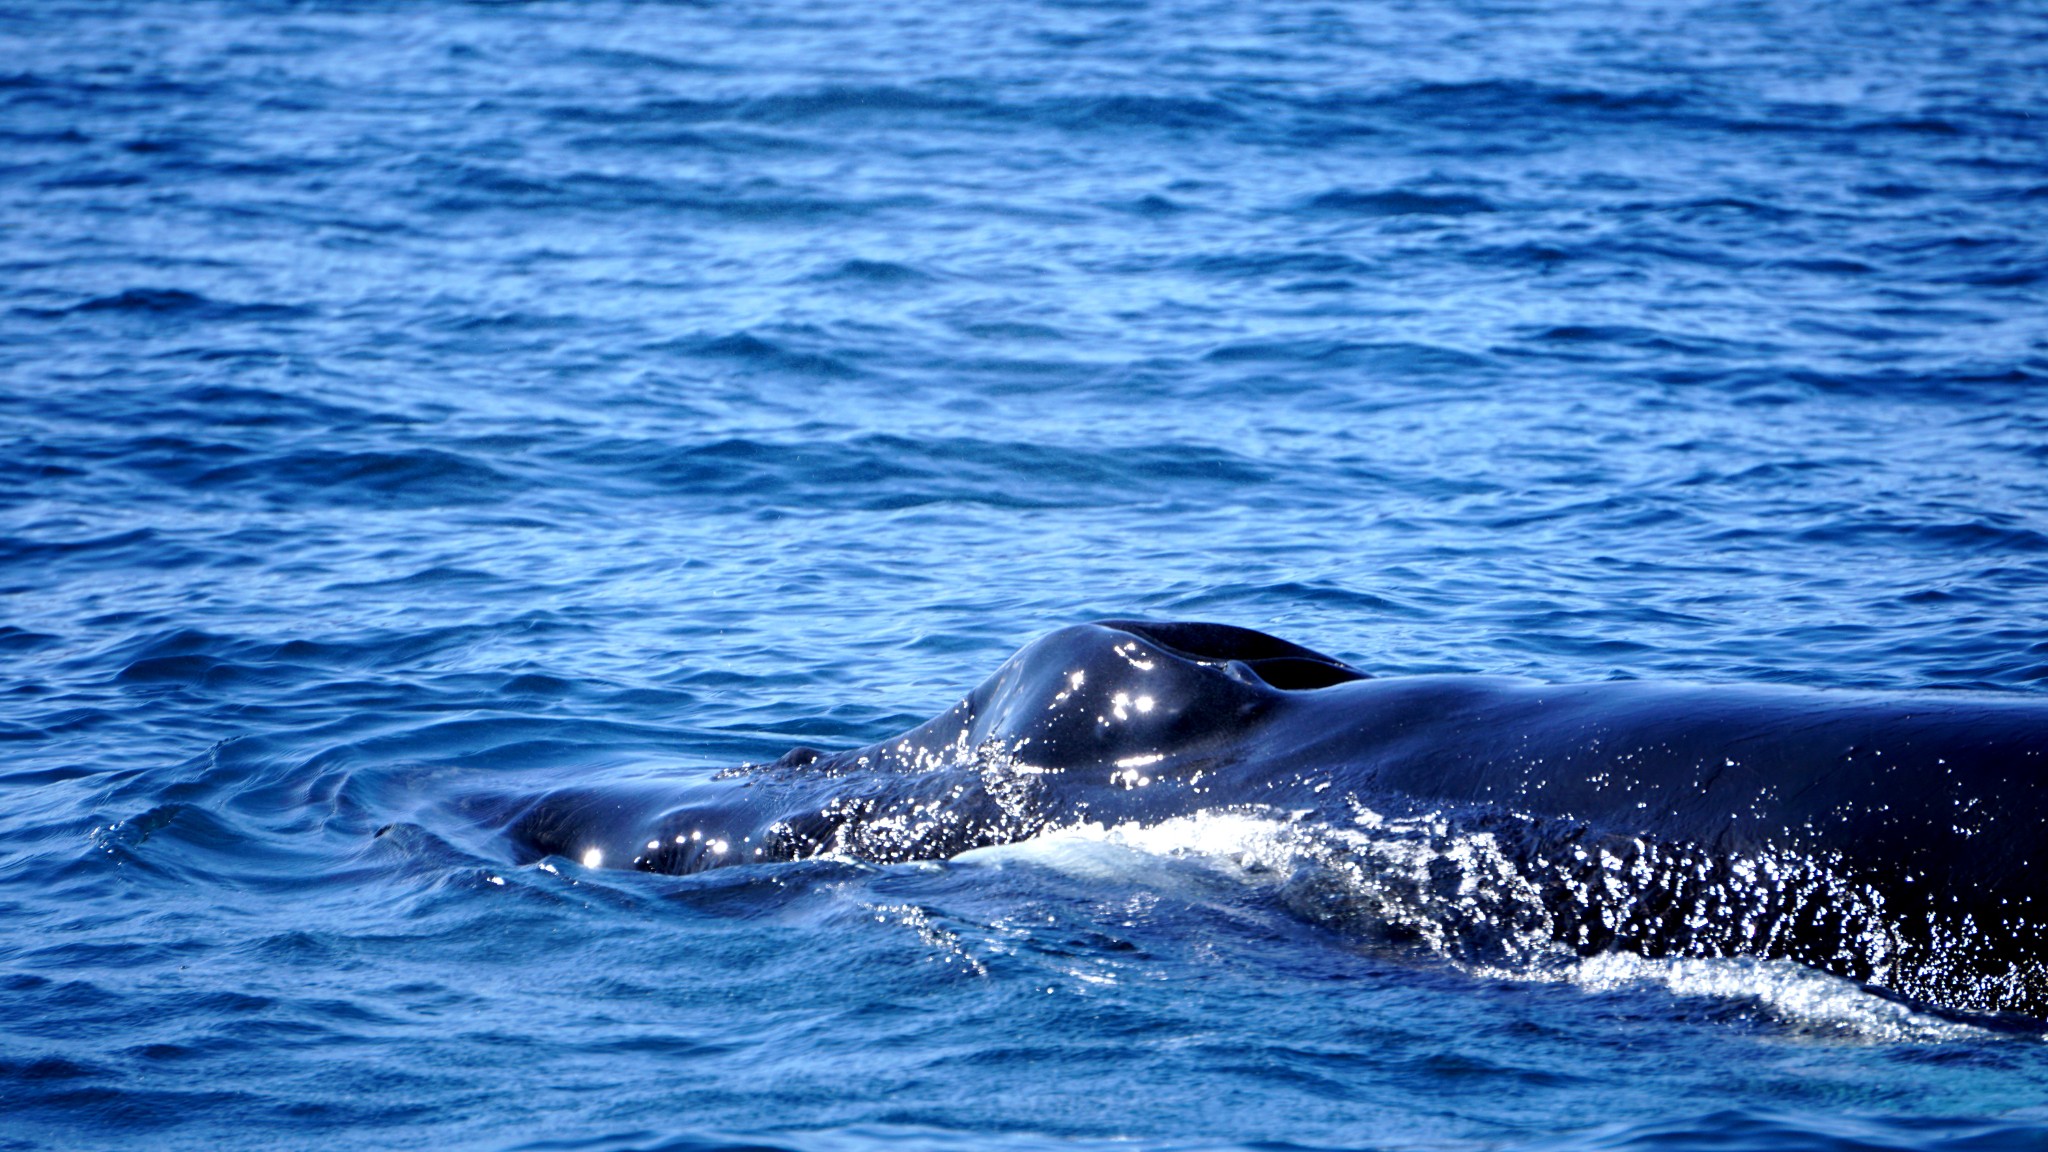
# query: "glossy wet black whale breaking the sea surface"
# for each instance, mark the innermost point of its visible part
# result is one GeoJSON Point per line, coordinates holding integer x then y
{"type": "Point", "coordinates": [1891, 839]}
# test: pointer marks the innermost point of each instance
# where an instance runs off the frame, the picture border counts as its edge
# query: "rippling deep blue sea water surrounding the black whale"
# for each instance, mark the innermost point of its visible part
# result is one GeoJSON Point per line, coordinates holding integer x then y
{"type": "Point", "coordinates": [409, 399]}
